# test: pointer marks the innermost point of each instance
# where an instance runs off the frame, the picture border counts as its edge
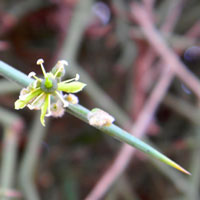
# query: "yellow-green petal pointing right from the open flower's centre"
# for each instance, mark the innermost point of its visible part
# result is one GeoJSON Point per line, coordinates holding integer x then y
{"type": "Point", "coordinates": [72, 87]}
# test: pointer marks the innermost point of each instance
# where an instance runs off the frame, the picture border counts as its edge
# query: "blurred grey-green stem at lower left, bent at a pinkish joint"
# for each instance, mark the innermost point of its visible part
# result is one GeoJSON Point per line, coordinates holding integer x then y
{"type": "Point", "coordinates": [12, 127]}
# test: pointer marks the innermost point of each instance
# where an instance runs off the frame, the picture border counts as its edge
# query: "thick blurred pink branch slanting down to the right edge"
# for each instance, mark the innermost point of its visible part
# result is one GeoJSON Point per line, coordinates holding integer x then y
{"type": "Point", "coordinates": [161, 47]}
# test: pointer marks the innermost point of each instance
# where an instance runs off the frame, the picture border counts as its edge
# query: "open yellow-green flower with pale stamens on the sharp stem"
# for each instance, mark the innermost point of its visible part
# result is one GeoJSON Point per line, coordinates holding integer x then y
{"type": "Point", "coordinates": [47, 94]}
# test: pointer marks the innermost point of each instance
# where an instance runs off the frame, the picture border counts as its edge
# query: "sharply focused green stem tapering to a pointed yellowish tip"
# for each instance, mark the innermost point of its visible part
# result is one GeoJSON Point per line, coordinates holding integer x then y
{"type": "Point", "coordinates": [112, 130]}
